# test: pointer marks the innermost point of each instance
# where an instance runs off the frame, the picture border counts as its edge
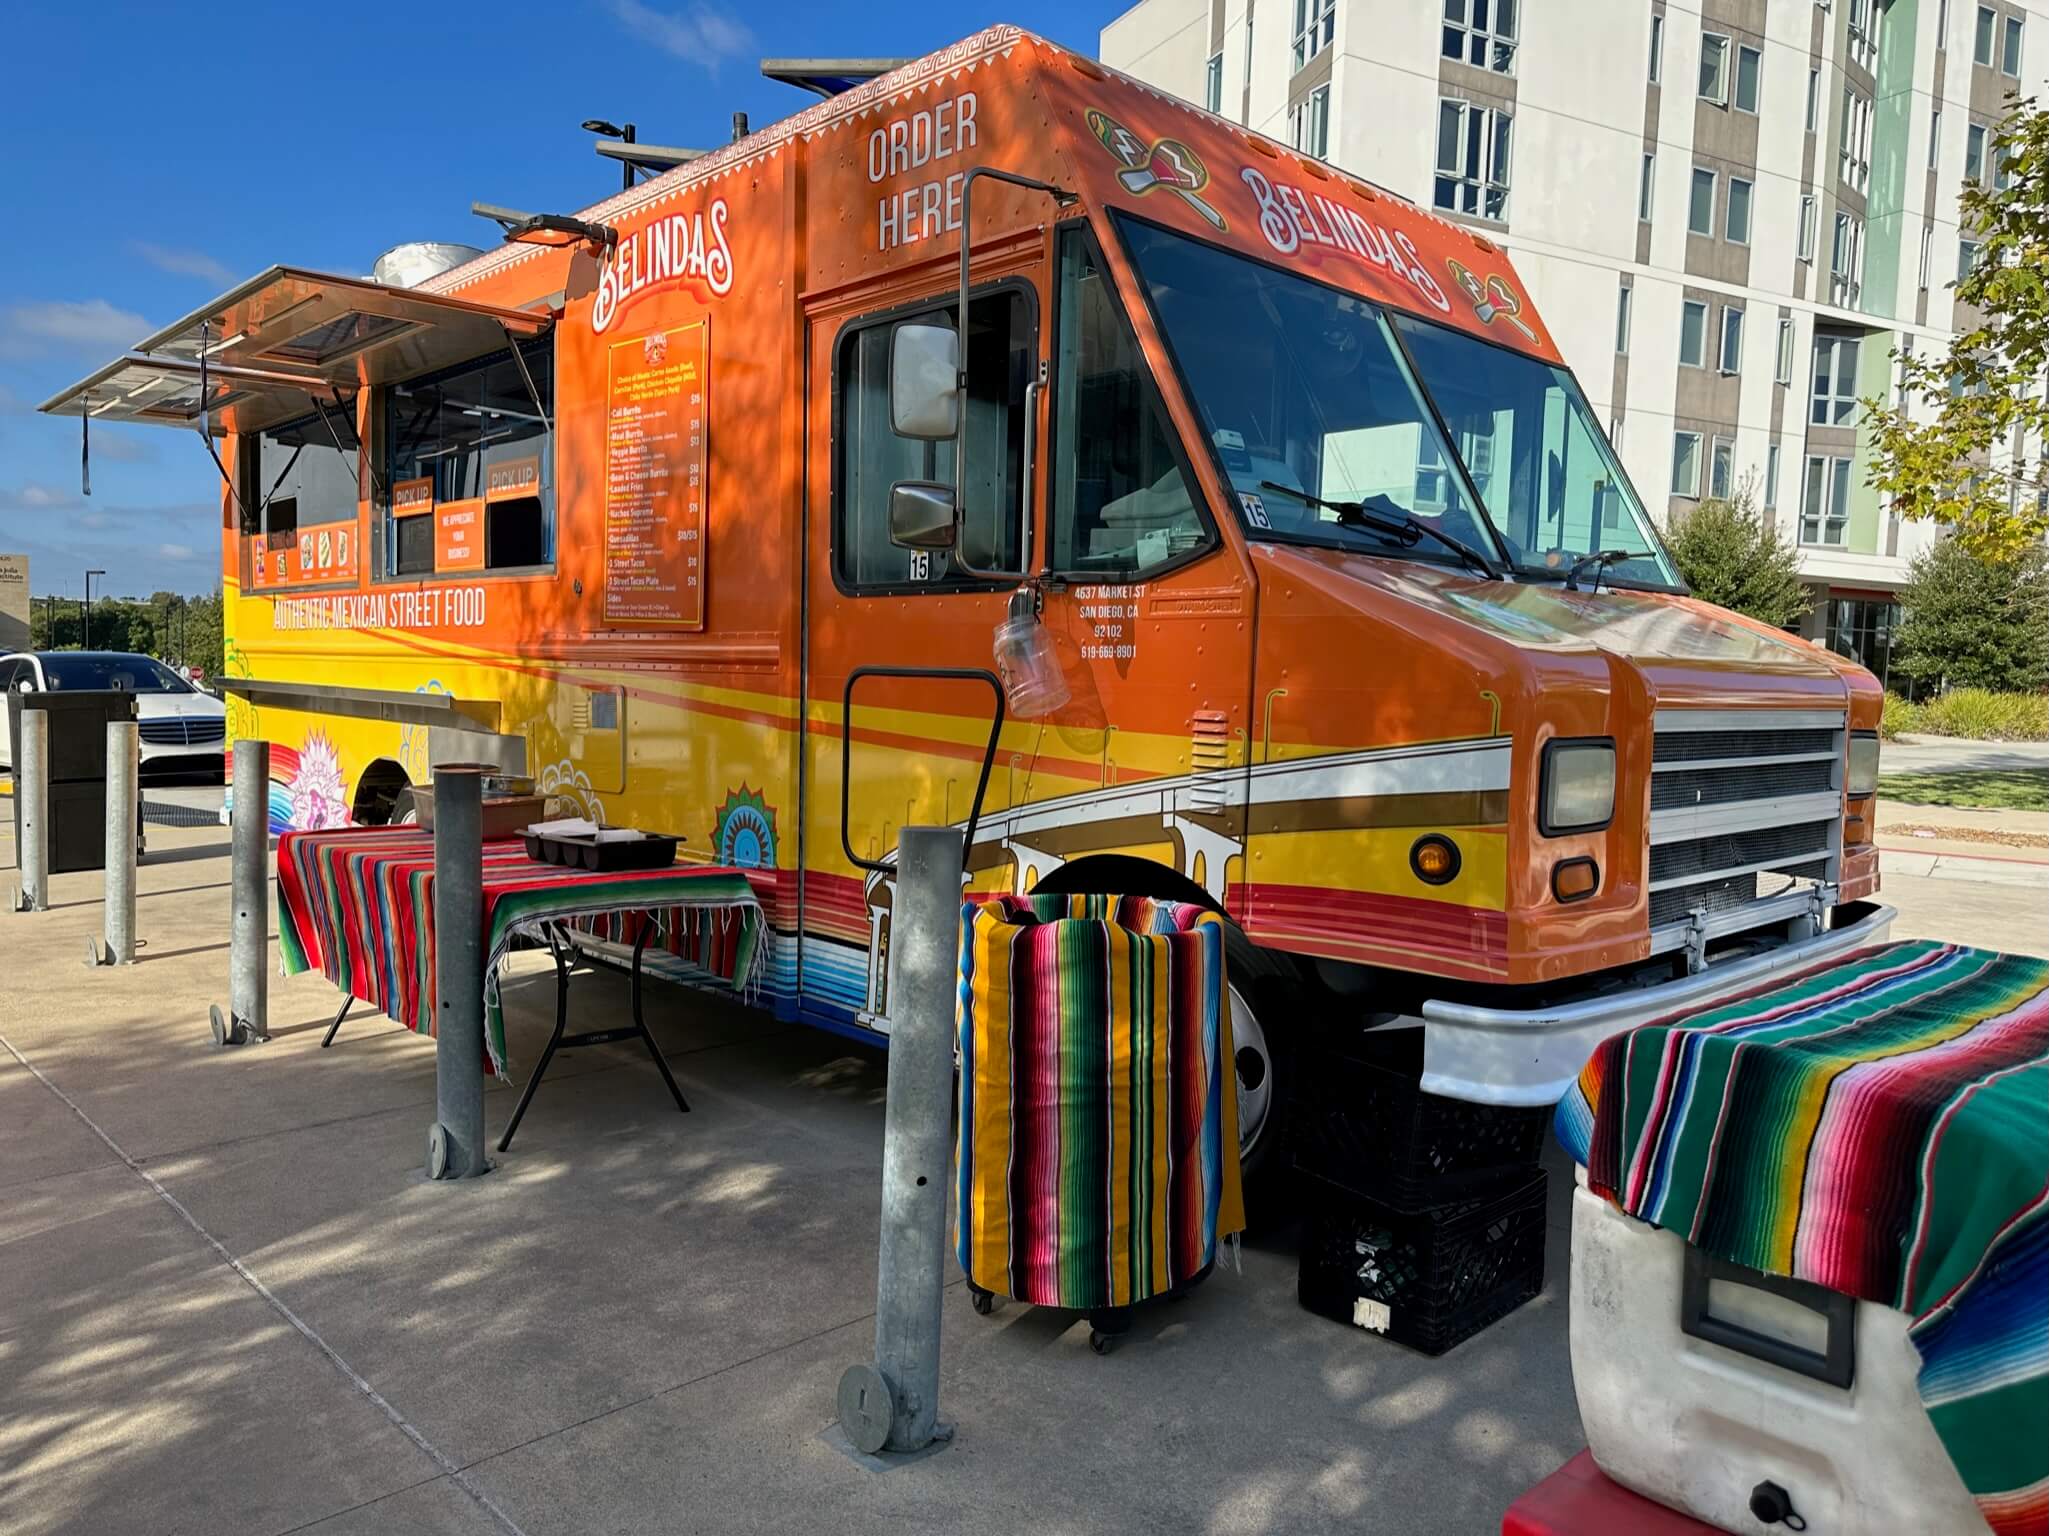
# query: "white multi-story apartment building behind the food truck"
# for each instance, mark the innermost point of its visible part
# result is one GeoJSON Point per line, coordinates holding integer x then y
{"type": "Point", "coordinates": [1732, 216]}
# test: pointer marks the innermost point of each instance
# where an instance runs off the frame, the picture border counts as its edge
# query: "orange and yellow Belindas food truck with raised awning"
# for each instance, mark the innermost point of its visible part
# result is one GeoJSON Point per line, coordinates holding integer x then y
{"type": "Point", "coordinates": [1343, 613]}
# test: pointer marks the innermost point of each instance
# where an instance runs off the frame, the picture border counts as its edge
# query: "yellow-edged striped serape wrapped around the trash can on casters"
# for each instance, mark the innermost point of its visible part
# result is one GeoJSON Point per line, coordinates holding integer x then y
{"type": "Point", "coordinates": [1097, 1154]}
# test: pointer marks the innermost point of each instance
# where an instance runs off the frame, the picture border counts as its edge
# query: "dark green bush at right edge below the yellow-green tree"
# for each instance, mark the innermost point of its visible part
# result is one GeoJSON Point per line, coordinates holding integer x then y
{"type": "Point", "coordinates": [1972, 622]}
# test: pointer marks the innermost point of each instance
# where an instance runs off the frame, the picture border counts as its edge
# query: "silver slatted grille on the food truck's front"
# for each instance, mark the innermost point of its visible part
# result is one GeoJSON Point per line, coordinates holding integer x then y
{"type": "Point", "coordinates": [1743, 802]}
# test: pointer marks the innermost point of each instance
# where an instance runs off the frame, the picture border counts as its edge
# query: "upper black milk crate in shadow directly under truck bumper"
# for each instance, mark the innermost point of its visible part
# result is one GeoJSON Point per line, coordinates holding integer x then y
{"type": "Point", "coordinates": [1364, 1121]}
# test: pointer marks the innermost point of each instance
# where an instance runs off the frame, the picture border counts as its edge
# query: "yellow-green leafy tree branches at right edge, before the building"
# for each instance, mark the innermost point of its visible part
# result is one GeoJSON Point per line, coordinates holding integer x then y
{"type": "Point", "coordinates": [1976, 458]}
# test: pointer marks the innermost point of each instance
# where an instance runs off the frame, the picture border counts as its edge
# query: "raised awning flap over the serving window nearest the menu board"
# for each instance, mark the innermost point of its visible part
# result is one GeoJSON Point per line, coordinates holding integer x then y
{"type": "Point", "coordinates": [343, 331]}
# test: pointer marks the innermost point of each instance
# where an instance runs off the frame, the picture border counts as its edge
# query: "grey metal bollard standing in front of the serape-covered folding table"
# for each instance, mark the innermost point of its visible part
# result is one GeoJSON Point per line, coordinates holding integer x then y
{"type": "Point", "coordinates": [456, 1140]}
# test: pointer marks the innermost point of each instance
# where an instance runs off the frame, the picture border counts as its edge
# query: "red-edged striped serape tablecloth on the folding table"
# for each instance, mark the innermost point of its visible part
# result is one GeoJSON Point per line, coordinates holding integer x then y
{"type": "Point", "coordinates": [360, 906]}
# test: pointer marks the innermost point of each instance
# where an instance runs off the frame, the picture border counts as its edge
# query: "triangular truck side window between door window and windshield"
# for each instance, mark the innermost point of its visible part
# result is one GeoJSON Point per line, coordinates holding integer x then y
{"type": "Point", "coordinates": [1124, 499]}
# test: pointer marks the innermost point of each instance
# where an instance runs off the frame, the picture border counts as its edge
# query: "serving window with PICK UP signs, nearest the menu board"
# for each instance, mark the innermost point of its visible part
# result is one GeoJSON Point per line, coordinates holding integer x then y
{"type": "Point", "coordinates": [472, 466]}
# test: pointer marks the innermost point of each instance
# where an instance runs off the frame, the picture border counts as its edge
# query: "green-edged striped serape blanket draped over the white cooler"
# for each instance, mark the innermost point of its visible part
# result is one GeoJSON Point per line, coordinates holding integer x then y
{"type": "Point", "coordinates": [1878, 1125]}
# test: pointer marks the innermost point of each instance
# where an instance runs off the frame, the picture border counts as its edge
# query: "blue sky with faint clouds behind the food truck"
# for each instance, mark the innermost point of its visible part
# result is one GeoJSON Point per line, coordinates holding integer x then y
{"type": "Point", "coordinates": [159, 155]}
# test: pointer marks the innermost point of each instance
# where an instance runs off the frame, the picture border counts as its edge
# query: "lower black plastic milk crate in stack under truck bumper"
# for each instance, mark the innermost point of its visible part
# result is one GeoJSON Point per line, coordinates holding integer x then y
{"type": "Point", "coordinates": [1427, 1279]}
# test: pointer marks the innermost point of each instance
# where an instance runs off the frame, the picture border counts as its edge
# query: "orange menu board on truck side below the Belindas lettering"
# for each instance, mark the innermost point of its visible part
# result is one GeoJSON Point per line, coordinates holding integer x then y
{"type": "Point", "coordinates": [657, 407]}
